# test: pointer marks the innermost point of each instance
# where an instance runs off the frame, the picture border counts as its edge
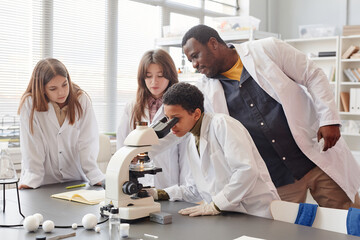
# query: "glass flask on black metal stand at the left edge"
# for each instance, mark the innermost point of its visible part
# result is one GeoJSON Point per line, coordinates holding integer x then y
{"type": "Point", "coordinates": [7, 174]}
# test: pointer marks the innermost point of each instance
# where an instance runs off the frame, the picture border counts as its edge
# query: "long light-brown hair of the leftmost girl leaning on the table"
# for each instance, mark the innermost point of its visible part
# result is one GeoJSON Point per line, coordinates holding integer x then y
{"type": "Point", "coordinates": [44, 71]}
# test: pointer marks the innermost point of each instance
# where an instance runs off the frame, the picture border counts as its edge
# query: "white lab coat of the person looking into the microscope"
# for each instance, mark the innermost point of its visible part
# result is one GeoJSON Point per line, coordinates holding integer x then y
{"type": "Point", "coordinates": [230, 171]}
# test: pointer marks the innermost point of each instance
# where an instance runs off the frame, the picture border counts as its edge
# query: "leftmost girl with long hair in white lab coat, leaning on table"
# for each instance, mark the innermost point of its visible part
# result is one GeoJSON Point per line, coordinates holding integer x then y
{"type": "Point", "coordinates": [59, 138]}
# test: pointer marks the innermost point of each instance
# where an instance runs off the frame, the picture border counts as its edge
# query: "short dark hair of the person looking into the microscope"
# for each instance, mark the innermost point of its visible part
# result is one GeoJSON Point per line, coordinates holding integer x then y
{"type": "Point", "coordinates": [186, 95]}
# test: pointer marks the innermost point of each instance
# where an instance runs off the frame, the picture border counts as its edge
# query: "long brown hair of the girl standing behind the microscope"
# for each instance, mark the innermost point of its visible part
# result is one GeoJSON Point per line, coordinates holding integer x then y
{"type": "Point", "coordinates": [164, 60]}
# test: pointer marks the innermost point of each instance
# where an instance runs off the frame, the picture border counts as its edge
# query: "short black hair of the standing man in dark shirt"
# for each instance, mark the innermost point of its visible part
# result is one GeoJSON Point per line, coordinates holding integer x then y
{"type": "Point", "coordinates": [202, 34]}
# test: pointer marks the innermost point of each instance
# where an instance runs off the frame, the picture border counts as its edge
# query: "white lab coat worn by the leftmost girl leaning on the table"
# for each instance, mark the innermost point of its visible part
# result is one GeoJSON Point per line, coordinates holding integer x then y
{"type": "Point", "coordinates": [55, 154]}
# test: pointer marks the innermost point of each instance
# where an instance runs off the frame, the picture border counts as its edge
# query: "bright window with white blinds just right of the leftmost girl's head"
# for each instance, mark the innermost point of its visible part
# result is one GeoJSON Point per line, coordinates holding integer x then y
{"type": "Point", "coordinates": [79, 41]}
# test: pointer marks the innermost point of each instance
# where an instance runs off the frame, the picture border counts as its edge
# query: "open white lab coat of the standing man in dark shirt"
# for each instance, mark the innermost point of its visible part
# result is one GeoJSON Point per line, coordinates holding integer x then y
{"type": "Point", "coordinates": [284, 72]}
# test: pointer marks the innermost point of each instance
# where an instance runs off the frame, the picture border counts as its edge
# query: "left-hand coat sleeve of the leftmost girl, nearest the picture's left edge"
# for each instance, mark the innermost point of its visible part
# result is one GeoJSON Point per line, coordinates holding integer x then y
{"type": "Point", "coordinates": [32, 149]}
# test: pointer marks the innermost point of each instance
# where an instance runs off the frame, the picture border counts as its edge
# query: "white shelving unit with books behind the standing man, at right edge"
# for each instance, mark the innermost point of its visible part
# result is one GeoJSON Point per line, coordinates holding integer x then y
{"type": "Point", "coordinates": [338, 80]}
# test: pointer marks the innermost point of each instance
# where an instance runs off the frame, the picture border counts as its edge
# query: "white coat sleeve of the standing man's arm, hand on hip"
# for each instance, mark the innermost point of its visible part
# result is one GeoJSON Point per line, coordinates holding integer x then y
{"type": "Point", "coordinates": [299, 68]}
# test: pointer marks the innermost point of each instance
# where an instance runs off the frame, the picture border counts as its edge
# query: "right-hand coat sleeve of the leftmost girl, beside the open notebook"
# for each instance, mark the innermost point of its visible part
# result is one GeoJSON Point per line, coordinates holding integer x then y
{"type": "Point", "coordinates": [89, 142]}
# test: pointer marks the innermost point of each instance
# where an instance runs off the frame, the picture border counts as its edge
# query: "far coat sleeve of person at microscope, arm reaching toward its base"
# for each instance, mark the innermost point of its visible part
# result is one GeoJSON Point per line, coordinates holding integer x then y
{"type": "Point", "coordinates": [186, 190]}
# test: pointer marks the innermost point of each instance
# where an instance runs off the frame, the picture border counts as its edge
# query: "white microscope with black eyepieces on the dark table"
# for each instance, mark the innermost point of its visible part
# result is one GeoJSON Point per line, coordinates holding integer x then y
{"type": "Point", "coordinates": [123, 190]}
